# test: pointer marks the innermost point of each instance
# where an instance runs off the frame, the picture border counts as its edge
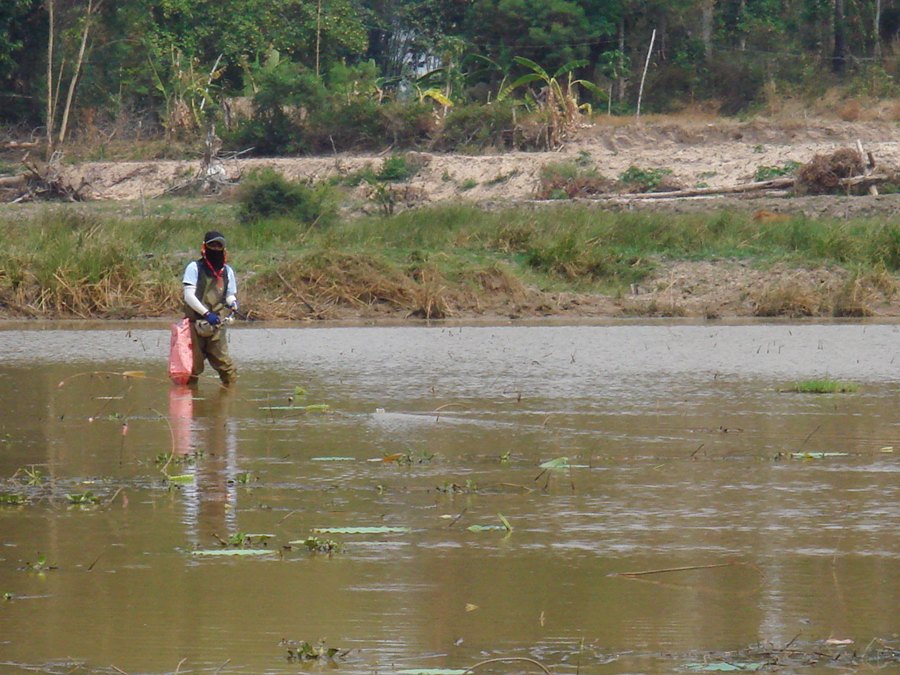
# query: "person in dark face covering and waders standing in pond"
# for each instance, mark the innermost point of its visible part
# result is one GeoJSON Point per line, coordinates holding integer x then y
{"type": "Point", "coordinates": [210, 295]}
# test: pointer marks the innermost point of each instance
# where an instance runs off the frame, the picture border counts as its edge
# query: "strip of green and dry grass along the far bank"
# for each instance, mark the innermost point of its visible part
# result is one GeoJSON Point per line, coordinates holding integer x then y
{"type": "Point", "coordinates": [428, 263]}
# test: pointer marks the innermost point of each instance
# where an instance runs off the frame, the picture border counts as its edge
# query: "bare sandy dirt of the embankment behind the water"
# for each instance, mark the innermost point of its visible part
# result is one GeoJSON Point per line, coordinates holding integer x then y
{"type": "Point", "coordinates": [710, 154]}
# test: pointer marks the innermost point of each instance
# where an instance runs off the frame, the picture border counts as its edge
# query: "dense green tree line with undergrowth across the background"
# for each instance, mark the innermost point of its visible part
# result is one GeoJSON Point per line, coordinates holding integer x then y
{"type": "Point", "coordinates": [339, 74]}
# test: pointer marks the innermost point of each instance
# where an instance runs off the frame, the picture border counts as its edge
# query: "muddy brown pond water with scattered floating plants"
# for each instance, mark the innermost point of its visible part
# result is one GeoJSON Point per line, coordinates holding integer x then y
{"type": "Point", "coordinates": [680, 441]}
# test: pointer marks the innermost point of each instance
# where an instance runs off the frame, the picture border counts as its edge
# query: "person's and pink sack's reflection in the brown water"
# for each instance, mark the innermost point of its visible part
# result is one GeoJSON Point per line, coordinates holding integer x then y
{"type": "Point", "coordinates": [205, 445]}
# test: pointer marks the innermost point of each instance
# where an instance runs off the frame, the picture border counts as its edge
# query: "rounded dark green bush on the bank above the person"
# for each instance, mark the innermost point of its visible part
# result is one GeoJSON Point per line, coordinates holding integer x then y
{"type": "Point", "coordinates": [267, 194]}
